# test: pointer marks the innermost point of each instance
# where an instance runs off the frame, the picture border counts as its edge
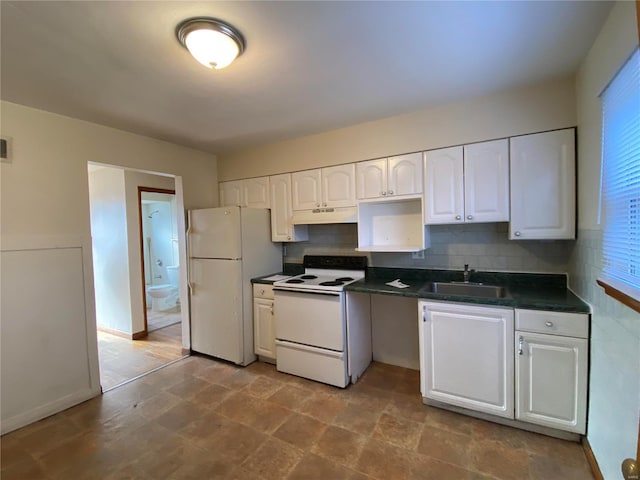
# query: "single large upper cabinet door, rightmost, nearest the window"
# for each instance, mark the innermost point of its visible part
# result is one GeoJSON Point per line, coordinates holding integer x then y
{"type": "Point", "coordinates": [543, 186]}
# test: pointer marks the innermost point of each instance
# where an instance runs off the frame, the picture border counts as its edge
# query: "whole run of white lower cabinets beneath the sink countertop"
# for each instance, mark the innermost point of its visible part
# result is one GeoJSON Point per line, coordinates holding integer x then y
{"type": "Point", "coordinates": [541, 378]}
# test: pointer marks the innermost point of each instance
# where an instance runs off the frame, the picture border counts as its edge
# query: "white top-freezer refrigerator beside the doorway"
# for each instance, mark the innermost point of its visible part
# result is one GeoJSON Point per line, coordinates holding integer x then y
{"type": "Point", "coordinates": [227, 247]}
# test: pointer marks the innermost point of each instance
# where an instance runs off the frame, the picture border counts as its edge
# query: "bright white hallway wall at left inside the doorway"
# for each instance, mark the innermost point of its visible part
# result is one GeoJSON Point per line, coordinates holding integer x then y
{"type": "Point", "coordinates": [110, 252]}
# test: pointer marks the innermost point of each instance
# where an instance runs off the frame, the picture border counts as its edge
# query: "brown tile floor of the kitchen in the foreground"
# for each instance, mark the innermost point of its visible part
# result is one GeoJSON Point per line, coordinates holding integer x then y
{"type": "Point", "coordinates": [200, 418]}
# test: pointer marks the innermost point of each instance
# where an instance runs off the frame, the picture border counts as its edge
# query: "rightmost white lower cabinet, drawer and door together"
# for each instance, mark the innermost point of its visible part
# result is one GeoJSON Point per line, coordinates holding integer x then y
{"type": "Point", "coordinates": [551, 369]}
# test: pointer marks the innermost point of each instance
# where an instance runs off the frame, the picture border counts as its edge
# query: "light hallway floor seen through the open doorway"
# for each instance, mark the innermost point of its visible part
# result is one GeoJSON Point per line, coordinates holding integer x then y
{"type": "Point", "coordinates": [122, 359]}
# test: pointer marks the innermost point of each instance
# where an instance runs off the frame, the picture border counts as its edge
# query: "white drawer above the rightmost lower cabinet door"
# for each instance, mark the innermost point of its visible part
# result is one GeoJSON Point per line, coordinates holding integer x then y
{"type": "Point", "coordinates": [554, 323]}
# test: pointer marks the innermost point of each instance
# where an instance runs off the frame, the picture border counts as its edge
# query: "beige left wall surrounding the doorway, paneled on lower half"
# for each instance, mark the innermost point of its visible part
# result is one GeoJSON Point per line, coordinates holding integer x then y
{"type": "Point", "coordinates": [44, 208]}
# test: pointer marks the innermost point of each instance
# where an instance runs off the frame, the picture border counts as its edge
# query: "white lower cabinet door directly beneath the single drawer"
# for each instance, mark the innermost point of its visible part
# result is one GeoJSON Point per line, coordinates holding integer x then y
{"type": "Point", "coordinates": [551, 381]}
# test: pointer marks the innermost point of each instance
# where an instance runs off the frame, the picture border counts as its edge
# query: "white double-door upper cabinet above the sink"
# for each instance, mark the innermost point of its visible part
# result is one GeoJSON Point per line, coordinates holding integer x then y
{"type": "Point", "coordinates": [467, 184]}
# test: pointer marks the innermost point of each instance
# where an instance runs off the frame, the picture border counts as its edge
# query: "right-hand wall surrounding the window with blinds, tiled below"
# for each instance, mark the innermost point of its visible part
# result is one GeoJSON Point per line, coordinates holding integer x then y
{"type": "Point", "coordinates": [614, 390]}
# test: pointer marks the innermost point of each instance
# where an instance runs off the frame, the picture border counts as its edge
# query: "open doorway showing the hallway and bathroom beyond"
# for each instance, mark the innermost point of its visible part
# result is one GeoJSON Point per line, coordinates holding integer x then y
{"type": "Point", "coordinates": [128, 210]}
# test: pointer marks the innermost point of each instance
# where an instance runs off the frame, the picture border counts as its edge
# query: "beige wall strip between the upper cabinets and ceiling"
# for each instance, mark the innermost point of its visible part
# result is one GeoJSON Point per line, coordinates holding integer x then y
{"type": "Point", "coordinates": [540, 107]}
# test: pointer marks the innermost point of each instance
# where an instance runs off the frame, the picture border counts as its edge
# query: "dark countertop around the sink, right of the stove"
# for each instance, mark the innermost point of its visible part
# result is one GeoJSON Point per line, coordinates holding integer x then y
{"type": "Point", "coordinates": [529, 291]}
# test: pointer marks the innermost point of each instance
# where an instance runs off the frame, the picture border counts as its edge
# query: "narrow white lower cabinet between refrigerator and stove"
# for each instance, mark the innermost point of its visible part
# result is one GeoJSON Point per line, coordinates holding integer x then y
{"type": "Point", "coordinates": [264, 334]}
